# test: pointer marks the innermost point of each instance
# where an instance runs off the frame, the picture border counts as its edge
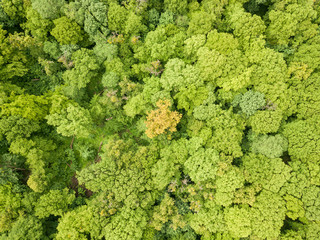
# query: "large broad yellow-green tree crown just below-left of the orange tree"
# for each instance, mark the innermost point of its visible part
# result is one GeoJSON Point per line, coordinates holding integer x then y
{"type": "Point", "coordinates": [124, 171]}
